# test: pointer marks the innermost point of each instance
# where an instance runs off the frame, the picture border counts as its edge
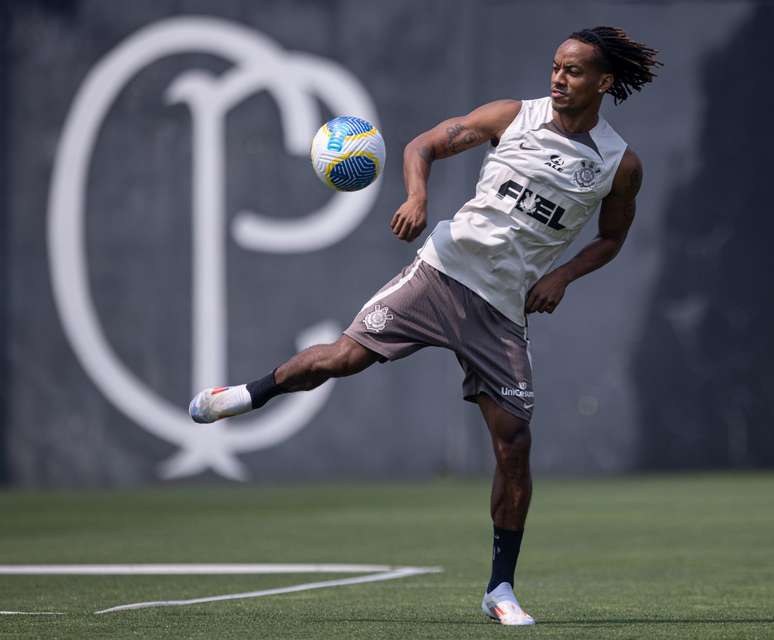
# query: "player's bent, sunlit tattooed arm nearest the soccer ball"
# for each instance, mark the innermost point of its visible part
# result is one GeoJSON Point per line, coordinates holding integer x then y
{"type": "Point", "coordinates": [446, 139]}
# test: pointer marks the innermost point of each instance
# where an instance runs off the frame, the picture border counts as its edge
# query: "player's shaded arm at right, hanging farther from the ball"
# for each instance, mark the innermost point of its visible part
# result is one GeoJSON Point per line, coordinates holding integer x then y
{"type": "Point", "coordinates": [615, 218]}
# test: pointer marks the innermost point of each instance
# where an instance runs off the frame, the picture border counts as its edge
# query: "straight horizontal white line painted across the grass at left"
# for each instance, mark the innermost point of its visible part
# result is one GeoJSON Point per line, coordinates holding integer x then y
{"type": "Point", "coordinates": [183, 569]}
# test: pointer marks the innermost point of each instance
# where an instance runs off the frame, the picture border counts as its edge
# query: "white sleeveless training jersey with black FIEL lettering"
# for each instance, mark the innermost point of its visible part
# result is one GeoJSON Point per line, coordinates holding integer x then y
{"type": "Point", "coordinates": [537, 189]}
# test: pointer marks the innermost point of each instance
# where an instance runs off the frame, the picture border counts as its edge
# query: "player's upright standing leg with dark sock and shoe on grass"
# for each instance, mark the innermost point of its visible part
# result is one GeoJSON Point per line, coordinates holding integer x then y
{"type": "Point", "coordinates": [511, 493]}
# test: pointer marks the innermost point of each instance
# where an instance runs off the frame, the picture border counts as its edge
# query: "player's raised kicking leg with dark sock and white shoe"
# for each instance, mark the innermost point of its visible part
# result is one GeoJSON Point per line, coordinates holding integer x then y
{"type": "Point", "coordinates": [304, 371]}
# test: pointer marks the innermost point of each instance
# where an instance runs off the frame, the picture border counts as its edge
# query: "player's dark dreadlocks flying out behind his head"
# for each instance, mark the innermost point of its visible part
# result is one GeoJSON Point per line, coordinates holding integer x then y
{"type": "Point", "coordinates": [630, 62]}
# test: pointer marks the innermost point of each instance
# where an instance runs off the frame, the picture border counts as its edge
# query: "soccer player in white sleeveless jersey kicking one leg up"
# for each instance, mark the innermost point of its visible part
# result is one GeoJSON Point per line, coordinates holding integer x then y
{"type": "Point", "coordinates": [552, 163]}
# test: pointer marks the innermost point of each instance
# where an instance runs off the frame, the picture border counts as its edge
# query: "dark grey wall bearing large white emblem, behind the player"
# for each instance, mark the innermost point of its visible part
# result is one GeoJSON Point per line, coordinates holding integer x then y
{"type": "Point", "coordinates": [127, 130]}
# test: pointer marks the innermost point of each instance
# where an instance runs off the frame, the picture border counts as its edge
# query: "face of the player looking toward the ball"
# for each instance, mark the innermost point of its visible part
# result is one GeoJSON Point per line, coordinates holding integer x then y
{"type": "Point", "coordinates": [577, 80]}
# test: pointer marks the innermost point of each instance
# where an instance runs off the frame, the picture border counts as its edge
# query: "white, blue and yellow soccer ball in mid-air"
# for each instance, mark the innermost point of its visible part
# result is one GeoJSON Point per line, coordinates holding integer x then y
{"type": "Point", "coordinates": [348, 153]}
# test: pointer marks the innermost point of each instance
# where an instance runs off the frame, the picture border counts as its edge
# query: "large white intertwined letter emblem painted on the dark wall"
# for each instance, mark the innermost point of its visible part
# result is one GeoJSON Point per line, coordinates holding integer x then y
{"type": "Point", "coordinates": [295, 80]}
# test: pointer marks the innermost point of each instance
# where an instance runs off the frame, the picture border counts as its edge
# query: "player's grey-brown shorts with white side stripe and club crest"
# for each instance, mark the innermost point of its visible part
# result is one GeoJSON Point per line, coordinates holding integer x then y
{"type": "Point", "coordinates": [422, 307]}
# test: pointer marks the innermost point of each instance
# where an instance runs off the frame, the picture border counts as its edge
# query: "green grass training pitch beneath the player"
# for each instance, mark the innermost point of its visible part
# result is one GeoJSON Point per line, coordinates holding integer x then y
{"type": "Point", "coordinates": [645, 557]}
